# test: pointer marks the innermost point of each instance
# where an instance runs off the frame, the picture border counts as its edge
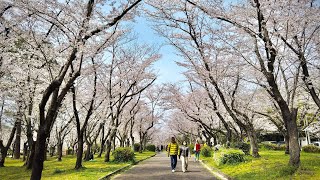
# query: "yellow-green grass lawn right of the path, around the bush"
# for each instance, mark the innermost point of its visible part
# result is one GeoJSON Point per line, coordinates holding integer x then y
{"type": "Point", "coordinates": [271, 165]}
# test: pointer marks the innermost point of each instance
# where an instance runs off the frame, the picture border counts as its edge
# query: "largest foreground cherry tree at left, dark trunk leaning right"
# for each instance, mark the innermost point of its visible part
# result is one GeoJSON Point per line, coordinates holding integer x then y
{"type": "Point", "coordinates": [65, 45]}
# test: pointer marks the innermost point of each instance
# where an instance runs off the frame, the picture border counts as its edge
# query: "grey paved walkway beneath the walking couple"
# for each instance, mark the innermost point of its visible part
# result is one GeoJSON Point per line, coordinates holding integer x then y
{"type": "Point", "coordinates": [158, 168]}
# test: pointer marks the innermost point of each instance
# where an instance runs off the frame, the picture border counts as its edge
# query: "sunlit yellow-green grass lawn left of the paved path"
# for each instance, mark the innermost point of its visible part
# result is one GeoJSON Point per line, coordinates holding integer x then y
{"type": "Point", "coordinates": [64, 170]}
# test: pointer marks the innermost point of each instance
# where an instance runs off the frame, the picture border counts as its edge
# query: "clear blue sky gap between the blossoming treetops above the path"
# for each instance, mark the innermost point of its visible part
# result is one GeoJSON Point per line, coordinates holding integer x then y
{"type": "Point", "coordinates": [168, 70]}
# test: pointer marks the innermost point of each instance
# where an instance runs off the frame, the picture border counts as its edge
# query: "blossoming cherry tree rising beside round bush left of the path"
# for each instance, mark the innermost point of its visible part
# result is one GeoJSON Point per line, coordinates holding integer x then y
{"type": "Point", "coordinates": [124, 83]}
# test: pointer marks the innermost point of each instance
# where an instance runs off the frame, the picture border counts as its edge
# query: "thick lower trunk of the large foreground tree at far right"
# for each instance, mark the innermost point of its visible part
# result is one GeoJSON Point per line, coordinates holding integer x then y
{"type": "Point", "coordinates": [293, 140]}
